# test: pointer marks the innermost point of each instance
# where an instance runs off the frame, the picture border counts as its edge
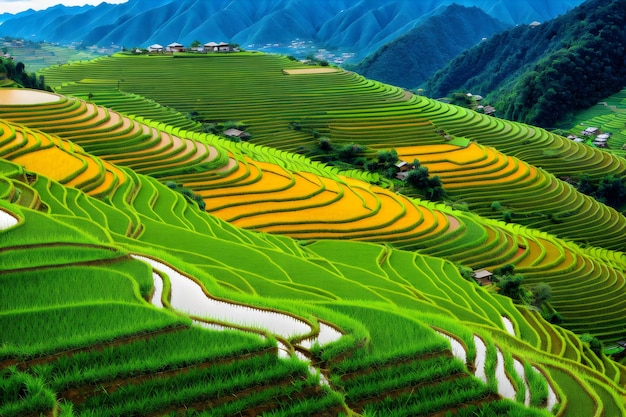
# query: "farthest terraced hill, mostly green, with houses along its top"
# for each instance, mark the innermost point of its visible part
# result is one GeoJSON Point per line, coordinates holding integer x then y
{"type": "Point", "coordinates": [347, 108]}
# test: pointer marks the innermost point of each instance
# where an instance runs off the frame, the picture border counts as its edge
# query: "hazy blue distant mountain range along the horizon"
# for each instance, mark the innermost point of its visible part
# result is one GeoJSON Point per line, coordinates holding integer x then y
{"type": "Point", "coordinates": [361, 26]}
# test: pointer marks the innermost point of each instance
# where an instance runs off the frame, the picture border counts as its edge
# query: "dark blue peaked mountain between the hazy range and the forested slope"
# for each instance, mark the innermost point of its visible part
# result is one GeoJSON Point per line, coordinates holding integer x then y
{"type": "Point", "coordinates": [410, 59]}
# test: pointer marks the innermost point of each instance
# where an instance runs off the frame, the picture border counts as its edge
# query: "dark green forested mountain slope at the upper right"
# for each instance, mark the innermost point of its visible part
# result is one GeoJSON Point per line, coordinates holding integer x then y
{"type": "Point", "coordinates": [539, 74]}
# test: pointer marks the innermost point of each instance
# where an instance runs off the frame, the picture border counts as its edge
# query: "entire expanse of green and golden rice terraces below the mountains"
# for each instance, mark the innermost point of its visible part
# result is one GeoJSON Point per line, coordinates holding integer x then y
{"type": "Point", "coordinates": [149, 268]}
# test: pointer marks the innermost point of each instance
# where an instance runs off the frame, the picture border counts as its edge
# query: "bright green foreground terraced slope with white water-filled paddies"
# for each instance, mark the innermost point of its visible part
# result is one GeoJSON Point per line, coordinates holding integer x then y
{"type": "Point", "coordinates": [396, 361]}
